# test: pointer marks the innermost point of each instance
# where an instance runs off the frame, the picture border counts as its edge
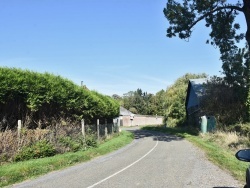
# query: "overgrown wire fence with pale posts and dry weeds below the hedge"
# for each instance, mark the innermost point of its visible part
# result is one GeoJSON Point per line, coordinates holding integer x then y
{"type": "Point", "coordinates": [64, 137]}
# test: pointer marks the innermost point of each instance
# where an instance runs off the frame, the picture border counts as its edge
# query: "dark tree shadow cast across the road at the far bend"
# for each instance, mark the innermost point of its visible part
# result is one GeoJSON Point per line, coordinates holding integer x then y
{"type": "Point", "coordinates": [156, 136]}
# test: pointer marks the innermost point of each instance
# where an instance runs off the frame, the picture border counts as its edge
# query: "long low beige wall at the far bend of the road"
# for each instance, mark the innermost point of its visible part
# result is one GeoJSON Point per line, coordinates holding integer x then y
{"type": "Point", "coordinates": [141, 120]}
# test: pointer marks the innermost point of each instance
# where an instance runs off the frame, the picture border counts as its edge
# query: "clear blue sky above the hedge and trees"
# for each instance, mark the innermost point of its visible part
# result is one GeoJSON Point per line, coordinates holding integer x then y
{"type": "Point", "coordinates": [113, 46]}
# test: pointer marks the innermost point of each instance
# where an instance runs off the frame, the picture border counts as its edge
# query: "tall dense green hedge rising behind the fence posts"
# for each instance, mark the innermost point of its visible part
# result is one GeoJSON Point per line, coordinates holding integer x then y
{"type": "Point", "coordinates": [41, 97]}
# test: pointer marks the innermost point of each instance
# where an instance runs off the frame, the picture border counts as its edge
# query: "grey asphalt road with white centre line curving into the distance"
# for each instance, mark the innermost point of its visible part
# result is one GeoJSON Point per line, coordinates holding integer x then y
{"type": "Point", "coordinates": [152, 160]}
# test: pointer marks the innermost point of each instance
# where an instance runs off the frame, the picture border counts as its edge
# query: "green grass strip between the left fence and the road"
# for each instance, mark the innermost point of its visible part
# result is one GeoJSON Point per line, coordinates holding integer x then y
{"type": "Point", "coordinates": [20, 171]}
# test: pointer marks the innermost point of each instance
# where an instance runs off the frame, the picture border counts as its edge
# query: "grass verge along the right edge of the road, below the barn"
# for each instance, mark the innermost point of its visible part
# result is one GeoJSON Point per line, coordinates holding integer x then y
{"type": "Point", "coordinates": [215, 152]}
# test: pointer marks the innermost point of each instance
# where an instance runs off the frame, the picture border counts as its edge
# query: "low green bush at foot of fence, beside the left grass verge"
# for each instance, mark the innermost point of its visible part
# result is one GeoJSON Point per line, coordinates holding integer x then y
{"type": "Point", "coordinates": [39, 149]}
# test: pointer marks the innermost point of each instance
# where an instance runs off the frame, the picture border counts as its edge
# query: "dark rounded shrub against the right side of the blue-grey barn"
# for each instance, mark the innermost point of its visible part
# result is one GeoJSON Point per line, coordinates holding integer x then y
{"type": "Point", "coordinates": [224, 101]}
